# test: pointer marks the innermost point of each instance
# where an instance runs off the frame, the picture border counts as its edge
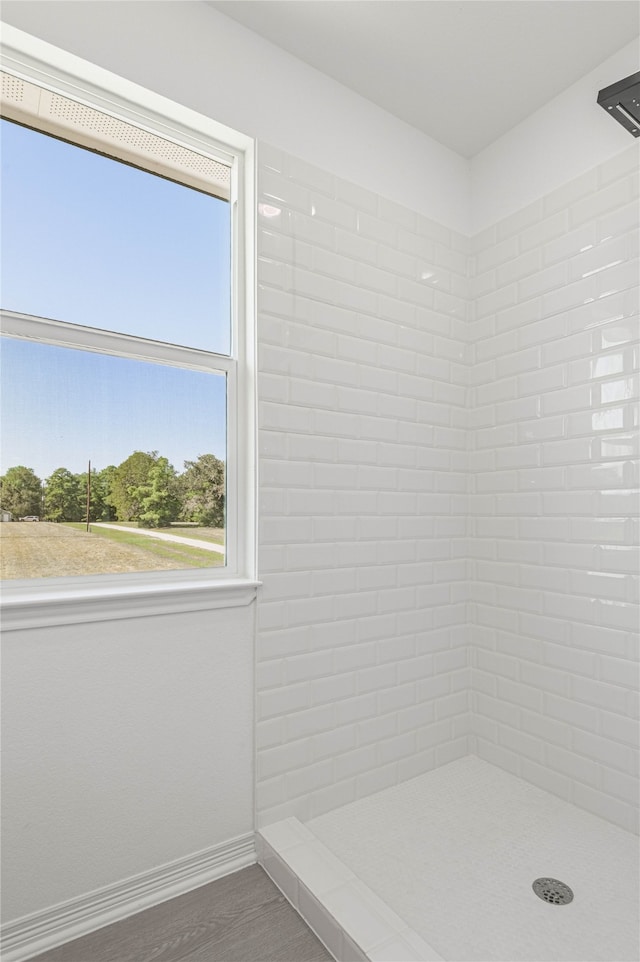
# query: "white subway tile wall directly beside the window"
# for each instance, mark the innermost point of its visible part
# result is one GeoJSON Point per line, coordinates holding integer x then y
{"type": "Point", "coordinates": [363, 667]}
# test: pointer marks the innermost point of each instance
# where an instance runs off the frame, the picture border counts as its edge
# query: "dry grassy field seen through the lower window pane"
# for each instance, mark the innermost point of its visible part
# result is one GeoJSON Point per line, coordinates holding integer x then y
{"type": "Point", "coordinates": [43, 550]}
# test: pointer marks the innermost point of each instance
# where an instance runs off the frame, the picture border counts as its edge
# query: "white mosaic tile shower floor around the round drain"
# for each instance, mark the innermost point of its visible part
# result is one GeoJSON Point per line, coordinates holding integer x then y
{"type": "Point", "coordinates": [454, 854]}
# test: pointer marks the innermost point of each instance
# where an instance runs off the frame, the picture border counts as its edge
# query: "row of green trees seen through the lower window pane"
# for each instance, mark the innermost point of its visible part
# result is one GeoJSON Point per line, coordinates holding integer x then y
{"type": "Point", "coordinates": [145, 488]}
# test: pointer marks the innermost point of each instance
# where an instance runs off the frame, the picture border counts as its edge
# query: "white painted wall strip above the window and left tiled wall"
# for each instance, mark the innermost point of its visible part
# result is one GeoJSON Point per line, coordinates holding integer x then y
{"type": "Point", "coordinates": [197, 56]}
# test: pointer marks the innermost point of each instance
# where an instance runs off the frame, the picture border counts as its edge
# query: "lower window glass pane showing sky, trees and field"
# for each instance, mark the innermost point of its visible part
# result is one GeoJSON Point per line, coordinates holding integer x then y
{"type": "Point", "coordinates": [156, 439]}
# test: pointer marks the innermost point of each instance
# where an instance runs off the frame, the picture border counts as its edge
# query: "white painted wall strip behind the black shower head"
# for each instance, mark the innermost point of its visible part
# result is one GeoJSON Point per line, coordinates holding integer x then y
{"type": "Point", "coordinates": [567, 137]}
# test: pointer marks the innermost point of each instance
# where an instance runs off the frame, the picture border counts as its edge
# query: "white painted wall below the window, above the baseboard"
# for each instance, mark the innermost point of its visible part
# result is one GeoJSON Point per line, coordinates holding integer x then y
{"type": "Point", "coordinates": [128, 744]}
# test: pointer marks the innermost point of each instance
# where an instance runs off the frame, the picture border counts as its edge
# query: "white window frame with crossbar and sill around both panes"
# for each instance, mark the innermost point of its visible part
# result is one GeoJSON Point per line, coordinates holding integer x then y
{"type": "Point", "coordinates": [49, 601]}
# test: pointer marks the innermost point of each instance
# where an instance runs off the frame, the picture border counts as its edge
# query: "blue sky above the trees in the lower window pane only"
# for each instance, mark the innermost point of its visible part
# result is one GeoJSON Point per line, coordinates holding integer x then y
{"type": "Point", "coordinates": [62, 408]}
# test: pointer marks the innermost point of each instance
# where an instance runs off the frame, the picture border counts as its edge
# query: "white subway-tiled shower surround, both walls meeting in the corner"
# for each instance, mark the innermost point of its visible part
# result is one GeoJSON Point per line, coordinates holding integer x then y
{"type": "Point", "coordinates": [448, 477]}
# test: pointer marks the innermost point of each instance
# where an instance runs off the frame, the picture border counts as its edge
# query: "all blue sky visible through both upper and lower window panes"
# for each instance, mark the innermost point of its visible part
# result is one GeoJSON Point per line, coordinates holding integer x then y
{"type": "Point", "coordinates": [95, 242]}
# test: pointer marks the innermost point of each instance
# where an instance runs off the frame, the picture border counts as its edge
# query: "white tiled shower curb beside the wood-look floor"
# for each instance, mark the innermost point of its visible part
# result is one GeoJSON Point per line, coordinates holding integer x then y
{"type": "Point", "coordinates": [352, 922]}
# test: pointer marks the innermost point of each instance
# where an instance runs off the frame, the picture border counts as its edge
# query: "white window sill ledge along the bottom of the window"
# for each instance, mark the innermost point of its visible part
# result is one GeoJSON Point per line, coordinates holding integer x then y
{"type": "Point", "coordinates": [68, 602]}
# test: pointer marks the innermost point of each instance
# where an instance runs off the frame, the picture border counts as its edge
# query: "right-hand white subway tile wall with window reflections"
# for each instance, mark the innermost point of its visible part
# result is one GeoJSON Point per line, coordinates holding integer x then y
{"type": "Point", "coordinates": [553, 496]}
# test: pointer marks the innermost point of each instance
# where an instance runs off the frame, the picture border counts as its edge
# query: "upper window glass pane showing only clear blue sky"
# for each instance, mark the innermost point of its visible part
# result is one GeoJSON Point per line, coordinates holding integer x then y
{"type": "Point", "coordinates": [93, 241]}
